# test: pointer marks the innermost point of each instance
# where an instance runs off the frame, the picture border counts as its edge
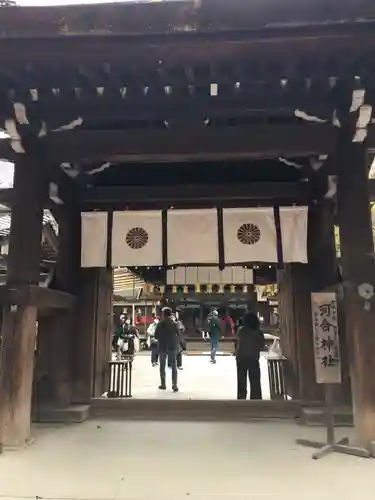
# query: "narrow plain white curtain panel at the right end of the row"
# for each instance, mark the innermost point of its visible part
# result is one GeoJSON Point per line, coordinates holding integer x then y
{"type": "Point", "coordinates": [293, 225]}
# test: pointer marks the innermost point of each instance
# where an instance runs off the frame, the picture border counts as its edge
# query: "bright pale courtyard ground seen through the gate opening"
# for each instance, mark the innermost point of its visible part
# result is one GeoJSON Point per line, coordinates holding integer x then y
{"type": "Point", "coordinates": [198, 380]}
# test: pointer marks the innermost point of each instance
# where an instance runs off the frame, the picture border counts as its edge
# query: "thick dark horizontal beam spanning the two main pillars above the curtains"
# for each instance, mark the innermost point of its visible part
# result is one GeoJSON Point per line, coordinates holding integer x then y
{"type": "Point", "coordinates": [256, 141]}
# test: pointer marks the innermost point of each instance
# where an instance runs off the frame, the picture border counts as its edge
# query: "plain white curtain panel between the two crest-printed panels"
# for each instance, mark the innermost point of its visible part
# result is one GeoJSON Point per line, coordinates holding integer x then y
{"type": "Point", "coordinates": [192, 237]}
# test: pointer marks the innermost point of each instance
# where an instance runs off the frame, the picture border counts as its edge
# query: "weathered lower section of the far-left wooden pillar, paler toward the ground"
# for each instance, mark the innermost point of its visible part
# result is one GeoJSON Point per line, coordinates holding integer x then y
{"type": "Point", "coordinates": [16, 374]}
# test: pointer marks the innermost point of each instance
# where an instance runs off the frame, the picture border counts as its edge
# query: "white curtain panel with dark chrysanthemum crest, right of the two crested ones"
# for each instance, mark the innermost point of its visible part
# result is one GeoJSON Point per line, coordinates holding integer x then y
{"type": "Point", "coordinates": [249, 235]}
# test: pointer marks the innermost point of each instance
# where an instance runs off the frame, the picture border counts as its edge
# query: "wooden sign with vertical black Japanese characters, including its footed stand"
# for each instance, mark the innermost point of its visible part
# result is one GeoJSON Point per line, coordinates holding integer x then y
{"type": "Point", "coordinates": [328, 373]}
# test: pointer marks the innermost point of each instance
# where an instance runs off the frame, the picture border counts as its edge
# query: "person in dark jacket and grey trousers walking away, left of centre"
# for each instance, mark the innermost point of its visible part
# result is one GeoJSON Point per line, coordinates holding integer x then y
{"type": "Point", "coordinates": [168, 337]}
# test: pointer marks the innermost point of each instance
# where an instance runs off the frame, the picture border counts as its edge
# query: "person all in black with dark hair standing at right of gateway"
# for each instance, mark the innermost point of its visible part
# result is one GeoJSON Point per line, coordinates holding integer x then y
{"type": "Point", "coordinates": [250, 342]}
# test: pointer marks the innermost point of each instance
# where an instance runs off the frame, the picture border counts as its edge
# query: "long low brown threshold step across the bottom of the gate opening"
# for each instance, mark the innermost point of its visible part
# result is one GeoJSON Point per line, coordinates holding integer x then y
{"type": "Point", "coordinates": [187, 410]}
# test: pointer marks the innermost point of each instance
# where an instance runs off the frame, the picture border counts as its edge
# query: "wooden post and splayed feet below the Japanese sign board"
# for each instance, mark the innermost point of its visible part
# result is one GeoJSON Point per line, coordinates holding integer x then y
{"type": "Point", "coordinates": [332, 446]}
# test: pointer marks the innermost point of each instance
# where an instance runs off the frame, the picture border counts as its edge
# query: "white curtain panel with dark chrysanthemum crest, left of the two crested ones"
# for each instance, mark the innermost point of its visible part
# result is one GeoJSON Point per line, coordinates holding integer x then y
{"type": "Point", "coordinates": [137, 239]}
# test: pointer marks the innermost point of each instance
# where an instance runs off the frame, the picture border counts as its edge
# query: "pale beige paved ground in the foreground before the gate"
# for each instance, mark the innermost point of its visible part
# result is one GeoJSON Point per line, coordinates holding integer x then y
{"type": "Point", "coordinates": [174, 461]}
